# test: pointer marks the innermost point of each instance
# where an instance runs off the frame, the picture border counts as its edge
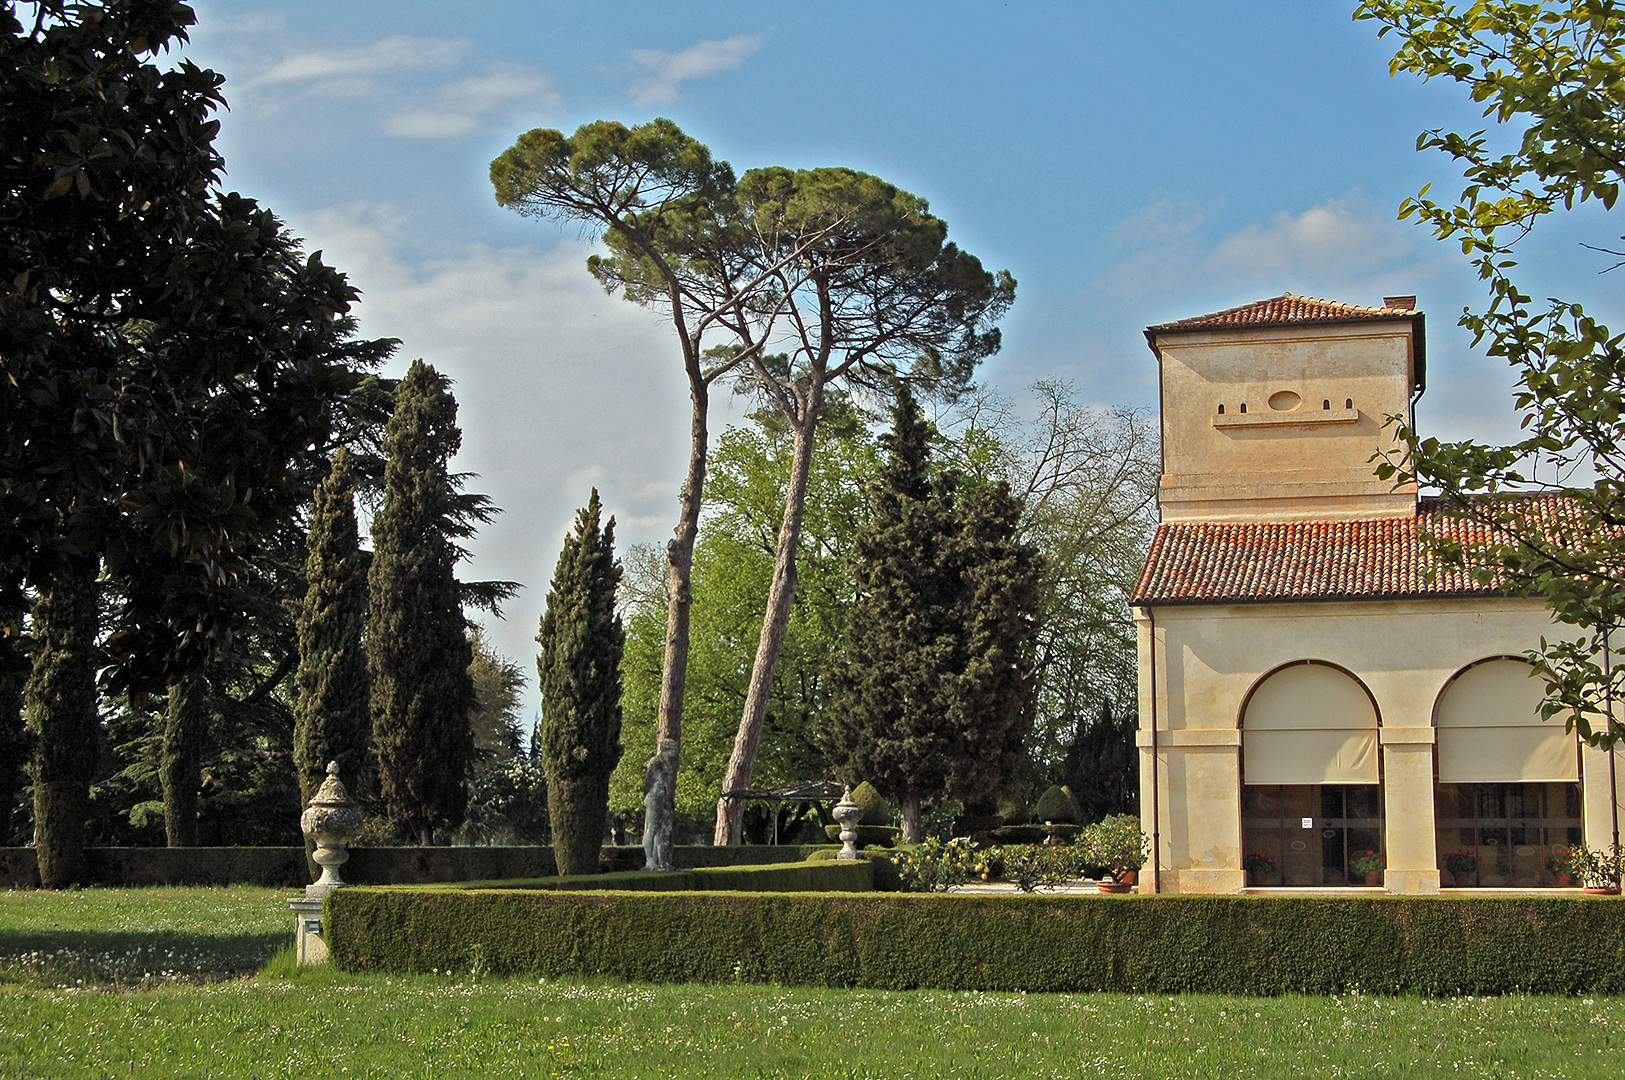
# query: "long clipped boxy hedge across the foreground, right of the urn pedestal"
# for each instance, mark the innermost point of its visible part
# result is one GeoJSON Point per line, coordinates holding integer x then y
{"type": "Point", "coordinates": [904, 941]}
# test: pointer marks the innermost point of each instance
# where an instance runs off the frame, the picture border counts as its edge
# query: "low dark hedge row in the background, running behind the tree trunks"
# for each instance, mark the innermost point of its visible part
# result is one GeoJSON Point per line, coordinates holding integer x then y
{"type": "Point", "coordinates": [279, 868]}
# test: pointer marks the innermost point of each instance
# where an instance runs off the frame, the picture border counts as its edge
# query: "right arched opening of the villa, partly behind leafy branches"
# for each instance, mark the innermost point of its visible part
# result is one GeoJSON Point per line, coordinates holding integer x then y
{"type": "Point", "coordinates": [1509, 784]}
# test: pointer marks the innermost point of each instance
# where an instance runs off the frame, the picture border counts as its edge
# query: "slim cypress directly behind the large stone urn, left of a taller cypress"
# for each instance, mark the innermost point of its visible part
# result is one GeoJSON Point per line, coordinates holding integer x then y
{"type": "Point", "coordinates": [332, 719]}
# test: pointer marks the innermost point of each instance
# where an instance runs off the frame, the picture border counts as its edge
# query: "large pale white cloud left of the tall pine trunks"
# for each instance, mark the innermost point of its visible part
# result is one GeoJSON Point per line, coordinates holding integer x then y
{"type": "Point", "coordinates": [560, 387]}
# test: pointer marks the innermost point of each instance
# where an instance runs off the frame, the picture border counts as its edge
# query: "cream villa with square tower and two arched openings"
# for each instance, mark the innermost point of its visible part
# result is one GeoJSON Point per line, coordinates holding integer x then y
{"type": "Point", "coordinates": [1307, 688]}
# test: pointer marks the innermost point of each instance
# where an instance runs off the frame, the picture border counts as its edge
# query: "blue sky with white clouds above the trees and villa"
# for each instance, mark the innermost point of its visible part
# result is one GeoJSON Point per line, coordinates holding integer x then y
{"type": "Point", "coordinates": [1127, 163]}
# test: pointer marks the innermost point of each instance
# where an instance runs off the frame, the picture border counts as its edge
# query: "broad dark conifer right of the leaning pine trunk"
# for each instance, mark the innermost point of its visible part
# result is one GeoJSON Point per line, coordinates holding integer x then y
{"type": "Point", "coordinates": [935, 686]}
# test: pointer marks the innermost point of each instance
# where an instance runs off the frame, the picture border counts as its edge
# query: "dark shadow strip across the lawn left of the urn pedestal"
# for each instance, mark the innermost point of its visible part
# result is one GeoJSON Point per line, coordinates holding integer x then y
{"type": "Point", "coordinates": [131, 959]}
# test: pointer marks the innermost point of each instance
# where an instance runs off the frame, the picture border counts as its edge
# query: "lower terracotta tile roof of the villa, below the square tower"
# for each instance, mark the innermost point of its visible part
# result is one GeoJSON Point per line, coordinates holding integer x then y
{"type": "Point", "coordinates": [1216, 563]}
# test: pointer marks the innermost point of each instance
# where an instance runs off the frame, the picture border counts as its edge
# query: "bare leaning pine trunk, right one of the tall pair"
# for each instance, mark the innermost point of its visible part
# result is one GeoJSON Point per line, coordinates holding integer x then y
{"type": "Point", "coordinates": [730, 813]}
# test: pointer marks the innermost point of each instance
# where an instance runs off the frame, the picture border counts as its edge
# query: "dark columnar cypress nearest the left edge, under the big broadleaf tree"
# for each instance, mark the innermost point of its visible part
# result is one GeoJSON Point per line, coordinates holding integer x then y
{"type": "Point", "coordinates": [59, 706]}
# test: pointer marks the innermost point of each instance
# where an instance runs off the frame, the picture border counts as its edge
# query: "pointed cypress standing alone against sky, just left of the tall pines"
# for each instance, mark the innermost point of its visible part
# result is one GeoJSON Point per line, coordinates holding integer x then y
{"type": "Point", "coordinates": [581, 691]}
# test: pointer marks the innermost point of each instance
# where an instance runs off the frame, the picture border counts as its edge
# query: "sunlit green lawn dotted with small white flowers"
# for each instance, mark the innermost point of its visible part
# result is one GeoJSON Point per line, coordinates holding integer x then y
{"type": "Point", "coordinates": [323, 1022]}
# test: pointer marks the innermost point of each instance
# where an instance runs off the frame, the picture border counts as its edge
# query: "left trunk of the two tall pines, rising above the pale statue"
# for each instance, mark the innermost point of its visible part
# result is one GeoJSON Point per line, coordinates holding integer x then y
{"type": "Point", "coordinates": [680, 595]}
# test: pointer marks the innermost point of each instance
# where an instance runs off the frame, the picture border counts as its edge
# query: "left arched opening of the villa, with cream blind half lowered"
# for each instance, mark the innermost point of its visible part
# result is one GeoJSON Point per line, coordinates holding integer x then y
{"type": "Point", "coordinates": [1312, 798]}
